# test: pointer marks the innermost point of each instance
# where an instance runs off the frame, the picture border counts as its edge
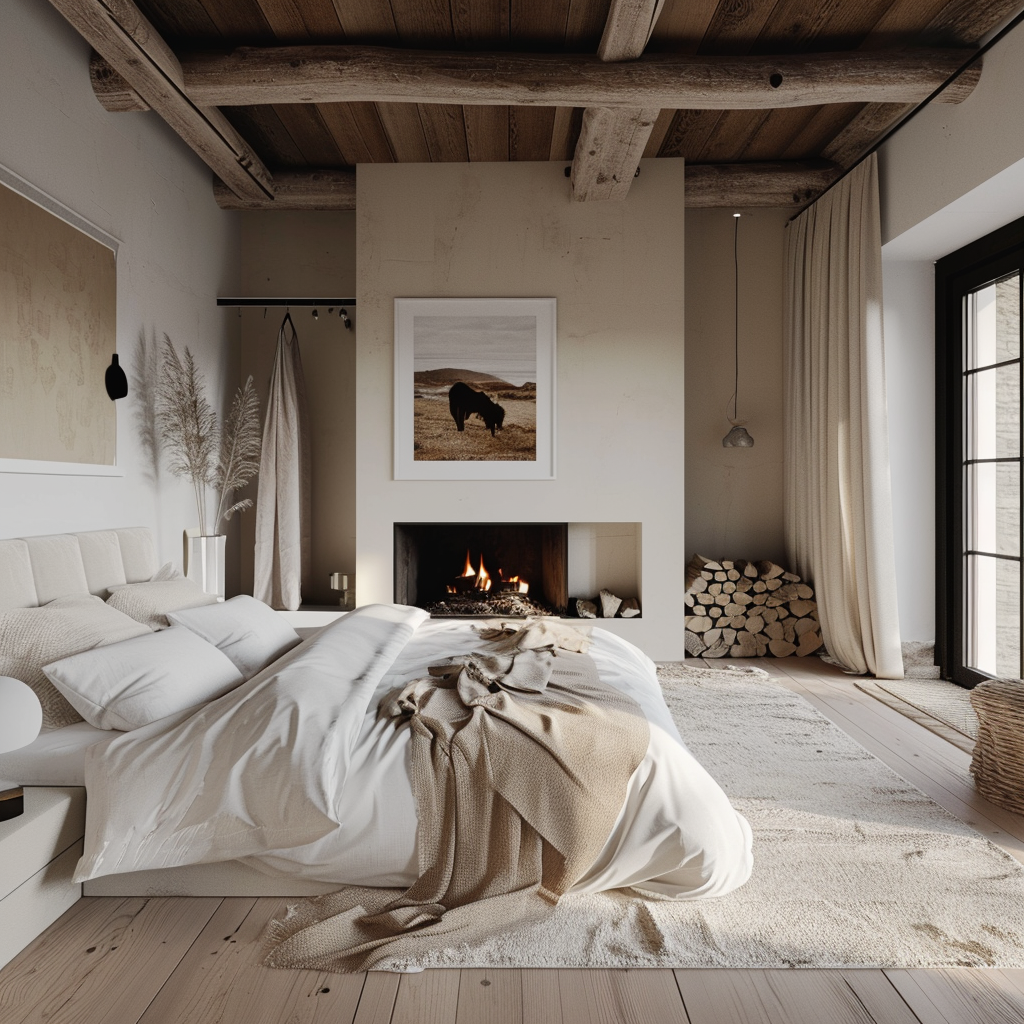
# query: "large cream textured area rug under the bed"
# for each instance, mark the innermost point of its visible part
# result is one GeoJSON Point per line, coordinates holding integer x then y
{"type": "Point", "coordinates": [854, 866]}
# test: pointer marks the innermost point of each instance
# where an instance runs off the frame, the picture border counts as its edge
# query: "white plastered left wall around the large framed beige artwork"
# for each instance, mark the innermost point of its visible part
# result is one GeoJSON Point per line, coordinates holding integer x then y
{"type": "Point", "coordinates": [133, 178]}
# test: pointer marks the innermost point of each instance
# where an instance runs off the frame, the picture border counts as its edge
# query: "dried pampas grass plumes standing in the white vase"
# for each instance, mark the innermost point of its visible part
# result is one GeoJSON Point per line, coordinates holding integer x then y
{"type": "Point", "coordinates": [196, 449]}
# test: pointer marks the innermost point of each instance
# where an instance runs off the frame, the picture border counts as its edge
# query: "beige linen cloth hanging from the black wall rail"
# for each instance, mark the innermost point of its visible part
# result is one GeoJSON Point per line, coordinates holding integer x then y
{"type": "Point", "coordinates": [282, 563]}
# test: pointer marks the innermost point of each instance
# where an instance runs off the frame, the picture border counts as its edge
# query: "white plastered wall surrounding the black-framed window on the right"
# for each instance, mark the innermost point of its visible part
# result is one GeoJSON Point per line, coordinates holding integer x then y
{"type": "Point", "coordinates": [952, 176]}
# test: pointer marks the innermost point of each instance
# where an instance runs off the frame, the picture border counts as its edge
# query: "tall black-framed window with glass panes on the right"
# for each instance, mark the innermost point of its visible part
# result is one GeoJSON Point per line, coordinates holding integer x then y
{"type": "Point", "coordinates": [980, 383]}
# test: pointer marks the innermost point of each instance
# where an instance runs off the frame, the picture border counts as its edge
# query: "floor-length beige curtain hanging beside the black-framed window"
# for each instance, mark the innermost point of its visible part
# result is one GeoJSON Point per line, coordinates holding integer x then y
{"type": "Point", "coordinates": [839, 509]}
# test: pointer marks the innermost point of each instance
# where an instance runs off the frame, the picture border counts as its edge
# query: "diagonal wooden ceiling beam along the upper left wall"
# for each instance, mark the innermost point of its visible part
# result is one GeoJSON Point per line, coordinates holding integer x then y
{"type": "Point", "coordinates": [144, 62]}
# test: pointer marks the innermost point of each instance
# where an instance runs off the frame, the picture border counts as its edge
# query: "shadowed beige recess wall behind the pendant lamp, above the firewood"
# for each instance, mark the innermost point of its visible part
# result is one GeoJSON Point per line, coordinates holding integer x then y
{"type": "Point", "coordinates": [735, 496]}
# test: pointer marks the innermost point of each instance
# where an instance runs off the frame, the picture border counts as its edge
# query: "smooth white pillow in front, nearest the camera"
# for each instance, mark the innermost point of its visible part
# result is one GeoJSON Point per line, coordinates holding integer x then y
{"type": "Point", "coordinates": [131, 685]}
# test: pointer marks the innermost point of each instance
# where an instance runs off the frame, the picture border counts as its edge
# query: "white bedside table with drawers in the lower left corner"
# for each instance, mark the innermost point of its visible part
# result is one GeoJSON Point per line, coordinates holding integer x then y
{"type": "Point", "coordinates": [38, 852]}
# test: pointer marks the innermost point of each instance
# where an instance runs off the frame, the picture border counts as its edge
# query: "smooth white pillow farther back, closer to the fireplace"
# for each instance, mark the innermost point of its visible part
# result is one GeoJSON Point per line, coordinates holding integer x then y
{"type": "Point", "coordinates": [249, 632]}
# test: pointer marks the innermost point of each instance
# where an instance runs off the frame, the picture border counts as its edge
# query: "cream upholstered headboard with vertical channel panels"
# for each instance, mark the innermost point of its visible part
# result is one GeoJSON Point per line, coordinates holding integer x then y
{"type": "Point", "coordinates": [37, 570]}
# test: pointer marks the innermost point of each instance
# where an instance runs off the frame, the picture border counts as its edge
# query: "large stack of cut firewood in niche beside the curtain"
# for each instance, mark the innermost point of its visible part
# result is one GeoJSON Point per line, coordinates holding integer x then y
{"type": "Point", "coordinates": [749, 610]}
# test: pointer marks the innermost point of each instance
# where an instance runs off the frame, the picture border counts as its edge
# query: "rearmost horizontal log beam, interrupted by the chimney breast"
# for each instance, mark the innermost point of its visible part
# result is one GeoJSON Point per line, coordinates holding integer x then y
{"type": "Point", "coordinates": [779, 184]}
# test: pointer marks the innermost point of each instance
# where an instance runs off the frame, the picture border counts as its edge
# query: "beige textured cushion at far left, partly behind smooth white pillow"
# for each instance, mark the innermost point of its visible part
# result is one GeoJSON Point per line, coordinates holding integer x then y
{"type": "Point", "coordinates": [31, 638]}
